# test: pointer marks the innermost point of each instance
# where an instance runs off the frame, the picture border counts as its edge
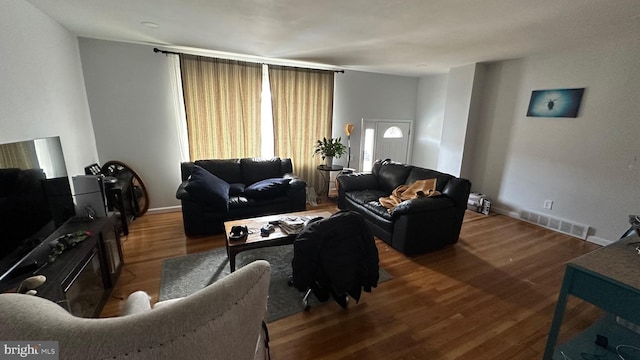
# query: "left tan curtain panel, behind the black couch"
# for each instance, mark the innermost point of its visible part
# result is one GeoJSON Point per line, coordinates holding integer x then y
{"type": "Point", "coordinates": [222, 104]}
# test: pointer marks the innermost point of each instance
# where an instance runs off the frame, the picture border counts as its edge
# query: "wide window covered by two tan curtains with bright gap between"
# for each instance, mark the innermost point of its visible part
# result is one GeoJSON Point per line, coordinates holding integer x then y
{"type": "Point", "coordinates": [236, 109]}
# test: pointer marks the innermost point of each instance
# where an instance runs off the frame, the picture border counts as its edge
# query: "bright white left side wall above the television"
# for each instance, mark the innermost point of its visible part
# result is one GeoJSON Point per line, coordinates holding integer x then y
{"type": "Point", "coordinates": [41, 88]}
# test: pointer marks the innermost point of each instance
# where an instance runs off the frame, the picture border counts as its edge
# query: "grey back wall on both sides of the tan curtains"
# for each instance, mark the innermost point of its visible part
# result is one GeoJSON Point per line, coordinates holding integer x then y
{"type": "Point", "coordinates": [129, 89]}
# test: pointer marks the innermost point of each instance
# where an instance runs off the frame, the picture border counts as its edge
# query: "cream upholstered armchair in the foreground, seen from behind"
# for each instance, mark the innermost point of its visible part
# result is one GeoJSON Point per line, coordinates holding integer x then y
{"type": "Point", "coordinates": [221, 321]}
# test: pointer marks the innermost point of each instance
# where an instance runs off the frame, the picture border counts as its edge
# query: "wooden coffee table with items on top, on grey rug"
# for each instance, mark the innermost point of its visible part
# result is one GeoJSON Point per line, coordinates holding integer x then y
{"type": "Point", "coordinates": [254, 240]}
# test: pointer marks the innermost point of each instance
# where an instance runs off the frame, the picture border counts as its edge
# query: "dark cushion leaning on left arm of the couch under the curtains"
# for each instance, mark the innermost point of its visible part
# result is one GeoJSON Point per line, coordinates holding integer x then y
{"type": "Point", "coordinates": [207, 189]}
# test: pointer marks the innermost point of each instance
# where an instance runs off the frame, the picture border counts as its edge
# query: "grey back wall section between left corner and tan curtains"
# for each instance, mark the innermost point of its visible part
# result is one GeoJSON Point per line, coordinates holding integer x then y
{"type": "Point", "coordinates": [129, 91]}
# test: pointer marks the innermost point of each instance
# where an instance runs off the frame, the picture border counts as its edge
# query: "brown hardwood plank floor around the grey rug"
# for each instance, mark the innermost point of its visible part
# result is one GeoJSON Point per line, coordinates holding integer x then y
{"type": "Point", "coordinates": [491, 296]}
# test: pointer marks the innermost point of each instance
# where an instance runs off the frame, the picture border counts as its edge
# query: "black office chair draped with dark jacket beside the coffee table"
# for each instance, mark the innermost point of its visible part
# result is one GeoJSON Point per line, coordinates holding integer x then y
{"type": "Point", "coordinates": [335, 257]}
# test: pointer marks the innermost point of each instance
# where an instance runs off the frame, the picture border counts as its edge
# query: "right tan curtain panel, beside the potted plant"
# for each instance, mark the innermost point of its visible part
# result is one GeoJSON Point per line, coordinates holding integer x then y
{"type": "Point", "coordinates": [302, 102]}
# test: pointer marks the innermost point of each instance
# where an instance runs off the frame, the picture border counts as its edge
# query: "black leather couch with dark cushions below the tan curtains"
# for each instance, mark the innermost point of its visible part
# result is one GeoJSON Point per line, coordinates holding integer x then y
{"type": "Point", "coordinates": [214, 191]}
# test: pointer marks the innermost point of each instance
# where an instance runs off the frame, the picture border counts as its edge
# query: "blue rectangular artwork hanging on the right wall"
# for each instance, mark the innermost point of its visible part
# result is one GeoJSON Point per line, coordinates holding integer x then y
{"type": "Point", "coordinates": [555, 103]}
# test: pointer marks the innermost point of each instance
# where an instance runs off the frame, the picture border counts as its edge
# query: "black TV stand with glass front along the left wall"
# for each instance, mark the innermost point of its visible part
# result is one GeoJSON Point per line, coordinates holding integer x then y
{"type": "Point", "coordinates": [82, 277]}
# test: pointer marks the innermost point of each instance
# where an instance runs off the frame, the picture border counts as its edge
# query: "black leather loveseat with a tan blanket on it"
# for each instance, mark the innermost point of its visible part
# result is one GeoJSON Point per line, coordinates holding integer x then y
{"type": "Point", "coordinates": [414, 226]}
